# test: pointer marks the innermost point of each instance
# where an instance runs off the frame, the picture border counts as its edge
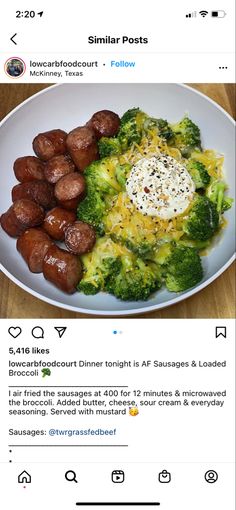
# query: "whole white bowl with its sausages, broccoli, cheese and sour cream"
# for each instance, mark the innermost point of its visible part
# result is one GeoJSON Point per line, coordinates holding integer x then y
{"type": "Point", "coordinates": [116, 200]}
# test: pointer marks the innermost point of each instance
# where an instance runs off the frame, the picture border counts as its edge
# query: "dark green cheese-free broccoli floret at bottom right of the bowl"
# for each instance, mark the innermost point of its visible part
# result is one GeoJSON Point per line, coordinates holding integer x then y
{"type": "Point", "coordinates": [183, 269]}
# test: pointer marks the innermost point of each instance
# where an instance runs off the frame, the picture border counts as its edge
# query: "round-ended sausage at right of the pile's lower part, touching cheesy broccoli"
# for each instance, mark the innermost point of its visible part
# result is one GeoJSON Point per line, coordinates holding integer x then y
{"type": "Point", "coordinates": [80, 238]}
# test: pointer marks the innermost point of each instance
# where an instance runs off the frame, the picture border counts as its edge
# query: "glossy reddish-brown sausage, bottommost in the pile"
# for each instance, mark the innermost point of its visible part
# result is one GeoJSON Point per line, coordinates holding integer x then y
{"type": "Point", "coordinates": [62, 268]}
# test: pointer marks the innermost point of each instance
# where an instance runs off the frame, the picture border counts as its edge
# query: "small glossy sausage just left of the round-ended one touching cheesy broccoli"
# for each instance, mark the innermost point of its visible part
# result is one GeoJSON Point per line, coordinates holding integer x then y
{"type": "Point", "coordinates": [57, 221]}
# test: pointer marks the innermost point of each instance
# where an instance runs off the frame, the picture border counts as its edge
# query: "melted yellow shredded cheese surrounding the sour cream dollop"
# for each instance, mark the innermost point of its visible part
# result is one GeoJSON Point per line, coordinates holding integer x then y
{"type": "Point", "coordinates": [125, 215]}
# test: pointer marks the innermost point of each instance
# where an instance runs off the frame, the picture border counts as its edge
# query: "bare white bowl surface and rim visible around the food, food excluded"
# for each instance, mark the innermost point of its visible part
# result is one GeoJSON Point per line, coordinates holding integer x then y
{"type": "Point", "coordinates": [68, 106]}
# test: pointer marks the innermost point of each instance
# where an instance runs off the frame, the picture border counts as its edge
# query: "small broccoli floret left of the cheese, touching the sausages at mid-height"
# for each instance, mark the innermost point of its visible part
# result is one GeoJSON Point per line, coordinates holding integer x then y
{"type": "Point", "coordinates": [92, 209]}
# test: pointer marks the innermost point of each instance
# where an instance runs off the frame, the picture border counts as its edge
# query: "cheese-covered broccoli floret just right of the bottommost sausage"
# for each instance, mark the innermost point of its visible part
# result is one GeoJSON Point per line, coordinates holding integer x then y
{"type": "Point", "coordinates": [97, 265]}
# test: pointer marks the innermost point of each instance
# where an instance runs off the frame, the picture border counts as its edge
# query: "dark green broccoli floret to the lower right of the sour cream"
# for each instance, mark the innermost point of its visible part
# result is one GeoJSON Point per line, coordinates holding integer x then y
{"type": "Point", "coordinates": [203, 219]}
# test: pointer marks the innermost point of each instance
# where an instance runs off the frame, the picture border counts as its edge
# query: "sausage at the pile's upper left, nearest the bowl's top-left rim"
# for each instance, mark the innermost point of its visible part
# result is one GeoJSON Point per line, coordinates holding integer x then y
{"type": "Point", "coordinates": [49, 144]}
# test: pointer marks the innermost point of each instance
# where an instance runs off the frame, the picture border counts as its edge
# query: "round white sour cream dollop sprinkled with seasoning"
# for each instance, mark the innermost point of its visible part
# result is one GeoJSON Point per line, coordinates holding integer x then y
{"type": "Point", "coordinates": [160, 186]}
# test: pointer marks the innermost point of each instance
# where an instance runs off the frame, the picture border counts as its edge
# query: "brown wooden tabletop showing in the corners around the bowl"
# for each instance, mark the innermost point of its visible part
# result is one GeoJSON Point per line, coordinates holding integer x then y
{"type": "Point", "coordinates": [215, 301]}
